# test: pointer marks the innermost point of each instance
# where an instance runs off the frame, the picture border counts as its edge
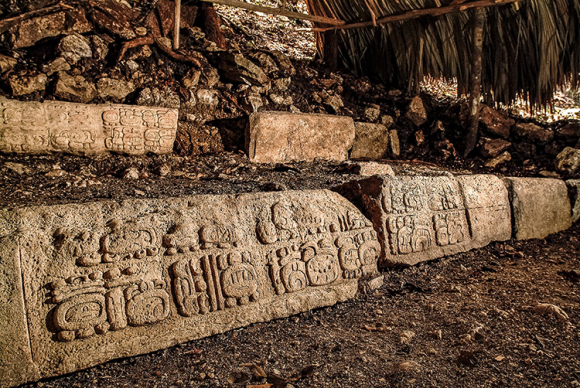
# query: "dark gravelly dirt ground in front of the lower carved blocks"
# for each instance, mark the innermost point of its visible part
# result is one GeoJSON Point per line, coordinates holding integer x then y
{"type": "Point", "coordinates": [465, 320]}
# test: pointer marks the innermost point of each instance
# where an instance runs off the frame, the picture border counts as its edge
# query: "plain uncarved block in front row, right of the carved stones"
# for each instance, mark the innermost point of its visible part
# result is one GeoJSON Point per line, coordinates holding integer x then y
{"type": "Point", "coordinates": [540, 206]}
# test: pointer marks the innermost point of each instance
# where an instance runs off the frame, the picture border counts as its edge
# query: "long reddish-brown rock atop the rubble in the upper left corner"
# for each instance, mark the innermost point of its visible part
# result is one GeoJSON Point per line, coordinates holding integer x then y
{"type": "Point", "coordinates": [29, 32]}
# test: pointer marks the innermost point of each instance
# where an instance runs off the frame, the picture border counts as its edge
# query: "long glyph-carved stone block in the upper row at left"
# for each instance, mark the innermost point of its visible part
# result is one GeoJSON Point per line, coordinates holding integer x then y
{"type": "Point", "coordinates": [53, 126]}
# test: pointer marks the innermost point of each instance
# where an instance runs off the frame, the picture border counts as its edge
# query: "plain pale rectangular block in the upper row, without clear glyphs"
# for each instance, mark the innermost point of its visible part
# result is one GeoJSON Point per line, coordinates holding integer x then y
{"type": "Point", "coordinates": [278, 137]}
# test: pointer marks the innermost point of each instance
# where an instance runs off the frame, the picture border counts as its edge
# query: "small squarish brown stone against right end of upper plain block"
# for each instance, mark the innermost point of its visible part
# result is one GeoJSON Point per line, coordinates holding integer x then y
{"type": "Point", "coordinates": [371, 141]}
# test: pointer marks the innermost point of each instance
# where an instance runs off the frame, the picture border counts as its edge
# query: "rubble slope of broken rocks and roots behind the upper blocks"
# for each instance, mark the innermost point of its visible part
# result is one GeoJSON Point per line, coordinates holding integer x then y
{"type": "Point", "coordinates": [112, 52]}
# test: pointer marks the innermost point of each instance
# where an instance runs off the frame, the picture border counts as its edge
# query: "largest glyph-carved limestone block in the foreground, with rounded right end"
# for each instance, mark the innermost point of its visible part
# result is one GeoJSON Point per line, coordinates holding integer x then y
{"type": "Point", "coordinates": [86, 283]}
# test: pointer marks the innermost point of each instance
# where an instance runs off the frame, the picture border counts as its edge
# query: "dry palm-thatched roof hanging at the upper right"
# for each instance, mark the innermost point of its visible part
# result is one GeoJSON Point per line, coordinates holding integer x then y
{"type": "Point", "coordinates": [530, 48]}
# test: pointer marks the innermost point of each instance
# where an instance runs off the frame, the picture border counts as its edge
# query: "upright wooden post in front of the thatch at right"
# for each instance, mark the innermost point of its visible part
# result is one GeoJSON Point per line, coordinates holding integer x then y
{"type": "Point", "coordinates": [478, 22]}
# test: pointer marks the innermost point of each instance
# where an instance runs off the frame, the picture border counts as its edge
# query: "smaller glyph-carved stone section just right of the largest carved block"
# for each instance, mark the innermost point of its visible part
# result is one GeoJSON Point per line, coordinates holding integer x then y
{"type": "Point", "coordinates": [423, 218]}
